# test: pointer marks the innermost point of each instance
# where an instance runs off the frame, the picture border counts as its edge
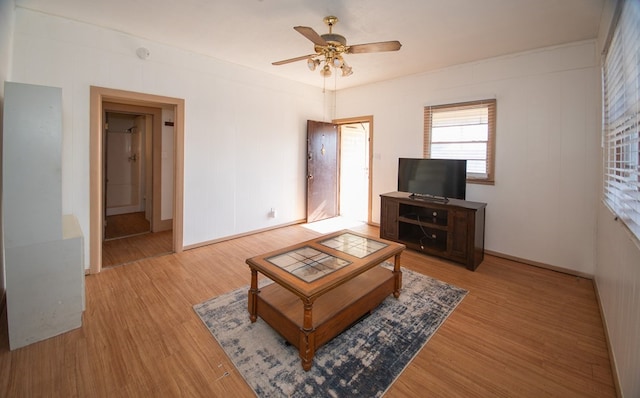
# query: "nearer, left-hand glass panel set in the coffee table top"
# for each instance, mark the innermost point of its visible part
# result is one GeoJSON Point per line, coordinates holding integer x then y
{"type": "Point", "coordinates": [308, 263]}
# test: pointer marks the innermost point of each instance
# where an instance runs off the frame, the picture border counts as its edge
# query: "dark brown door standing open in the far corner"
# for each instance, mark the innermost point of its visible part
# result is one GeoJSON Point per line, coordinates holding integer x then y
{"type": "Point", "coordinates": [322, 170]}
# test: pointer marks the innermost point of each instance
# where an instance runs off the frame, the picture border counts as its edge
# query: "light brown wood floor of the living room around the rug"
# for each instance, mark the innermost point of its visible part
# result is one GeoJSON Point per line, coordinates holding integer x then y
{"type": "Point", "coordinates": [521, 331]}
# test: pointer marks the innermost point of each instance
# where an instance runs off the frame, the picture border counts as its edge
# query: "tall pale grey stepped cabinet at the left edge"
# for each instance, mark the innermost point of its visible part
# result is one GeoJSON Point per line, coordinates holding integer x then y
{"type": "Point", "coordinates": [43, 248]}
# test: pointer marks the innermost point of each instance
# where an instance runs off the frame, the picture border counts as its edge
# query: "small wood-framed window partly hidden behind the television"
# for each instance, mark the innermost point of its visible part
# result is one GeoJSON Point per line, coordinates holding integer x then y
{"type": "Point", "coordinates": [463, 131]}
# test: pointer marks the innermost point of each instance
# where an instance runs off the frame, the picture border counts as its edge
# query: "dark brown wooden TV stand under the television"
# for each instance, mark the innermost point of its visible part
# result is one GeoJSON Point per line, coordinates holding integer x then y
{"type": "Point", "coordinates": [453, 230]}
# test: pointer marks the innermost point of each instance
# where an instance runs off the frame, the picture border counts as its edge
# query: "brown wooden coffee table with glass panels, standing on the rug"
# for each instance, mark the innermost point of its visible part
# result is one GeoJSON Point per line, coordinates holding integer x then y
{"type": "Point", "coordinates": [322, 286]}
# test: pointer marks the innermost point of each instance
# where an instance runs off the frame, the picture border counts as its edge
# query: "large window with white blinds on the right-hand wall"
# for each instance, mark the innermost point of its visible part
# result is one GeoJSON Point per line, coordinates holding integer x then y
{"type": "Point", "coordinates": [621, 117]}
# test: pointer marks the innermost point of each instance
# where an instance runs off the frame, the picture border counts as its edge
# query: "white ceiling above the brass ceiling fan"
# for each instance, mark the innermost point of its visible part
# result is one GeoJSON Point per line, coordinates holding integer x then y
{"type": "Point", "coordinates": [434, 33]}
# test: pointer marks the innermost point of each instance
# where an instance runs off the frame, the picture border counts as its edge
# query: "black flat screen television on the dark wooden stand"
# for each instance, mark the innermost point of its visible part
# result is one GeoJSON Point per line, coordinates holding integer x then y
{"type": "Point", "coordinates": [433, 178]}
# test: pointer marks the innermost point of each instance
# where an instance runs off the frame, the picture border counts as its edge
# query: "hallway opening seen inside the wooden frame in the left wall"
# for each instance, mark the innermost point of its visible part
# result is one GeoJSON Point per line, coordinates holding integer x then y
{"type": "Point", "coordinates": [133, 229]}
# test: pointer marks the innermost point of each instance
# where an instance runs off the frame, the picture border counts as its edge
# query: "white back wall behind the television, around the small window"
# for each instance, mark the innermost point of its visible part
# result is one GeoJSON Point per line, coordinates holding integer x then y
{"type": "Point", "coordinates": [542, 207]}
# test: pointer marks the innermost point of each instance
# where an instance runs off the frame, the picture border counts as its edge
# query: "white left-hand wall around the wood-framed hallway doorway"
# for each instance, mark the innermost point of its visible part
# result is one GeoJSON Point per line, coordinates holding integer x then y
{"type": "Point", "coordinates": [245, 131]}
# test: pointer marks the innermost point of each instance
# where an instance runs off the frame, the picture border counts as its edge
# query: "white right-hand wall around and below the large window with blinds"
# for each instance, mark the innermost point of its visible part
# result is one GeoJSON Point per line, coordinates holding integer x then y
{"type": "Point", "coordinates": [617, 278]}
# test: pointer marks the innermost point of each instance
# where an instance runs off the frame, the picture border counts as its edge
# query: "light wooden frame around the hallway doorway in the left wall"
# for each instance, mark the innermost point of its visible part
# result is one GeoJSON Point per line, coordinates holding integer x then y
{"type": "Point", "coordinates": [99, 95]}
